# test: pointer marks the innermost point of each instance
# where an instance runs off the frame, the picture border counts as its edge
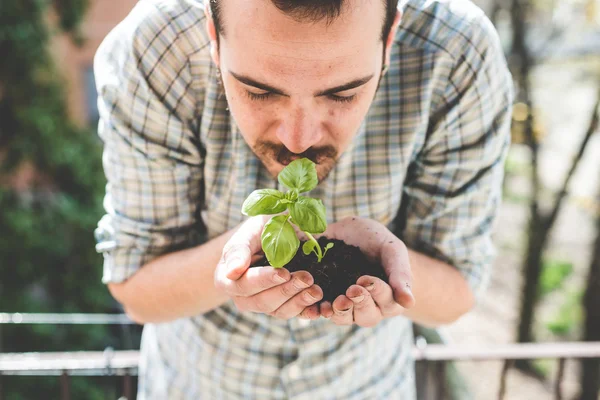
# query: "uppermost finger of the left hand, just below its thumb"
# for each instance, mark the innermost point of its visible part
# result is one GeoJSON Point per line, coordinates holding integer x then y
{"type": "Point", "coordinates": [254, 281]}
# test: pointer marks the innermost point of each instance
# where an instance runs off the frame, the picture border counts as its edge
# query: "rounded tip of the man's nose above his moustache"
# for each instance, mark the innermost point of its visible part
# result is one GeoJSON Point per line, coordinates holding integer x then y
{"type": "Point", "coordinates": [299, 130]}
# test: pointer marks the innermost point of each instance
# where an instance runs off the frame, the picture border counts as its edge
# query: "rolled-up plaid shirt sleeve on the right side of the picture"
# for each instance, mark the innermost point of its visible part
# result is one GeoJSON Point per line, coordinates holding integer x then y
{"type": "Point", "coordinates": [453, 188]}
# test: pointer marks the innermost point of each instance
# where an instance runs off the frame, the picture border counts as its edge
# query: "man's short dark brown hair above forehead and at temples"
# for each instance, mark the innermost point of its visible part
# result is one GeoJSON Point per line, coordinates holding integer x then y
{"type": "Point", "coordinates": [314, 11]}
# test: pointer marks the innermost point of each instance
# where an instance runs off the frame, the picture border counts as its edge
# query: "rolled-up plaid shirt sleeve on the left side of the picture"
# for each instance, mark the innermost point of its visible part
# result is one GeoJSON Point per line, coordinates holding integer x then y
{"type": "Point", "coordinates": [152, 157]}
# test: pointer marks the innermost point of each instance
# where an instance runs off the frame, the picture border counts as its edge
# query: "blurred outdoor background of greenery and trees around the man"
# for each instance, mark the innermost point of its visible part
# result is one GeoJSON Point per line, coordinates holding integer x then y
{"type": "Point", "coordinates": [546, 284]}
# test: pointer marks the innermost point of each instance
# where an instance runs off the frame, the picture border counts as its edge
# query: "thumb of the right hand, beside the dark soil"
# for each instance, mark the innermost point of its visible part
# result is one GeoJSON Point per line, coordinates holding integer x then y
{"type": "Point", "coordinates": [394, 258]}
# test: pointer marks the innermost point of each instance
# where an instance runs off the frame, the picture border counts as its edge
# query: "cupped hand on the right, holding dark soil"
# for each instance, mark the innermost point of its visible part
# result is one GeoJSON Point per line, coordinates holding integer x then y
{"type": "Point", "coordinates": [371, 299]}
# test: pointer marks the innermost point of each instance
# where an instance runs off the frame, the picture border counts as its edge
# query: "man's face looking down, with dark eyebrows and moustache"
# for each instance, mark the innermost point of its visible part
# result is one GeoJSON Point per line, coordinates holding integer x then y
{"type": "Point", "coordinates": [299, 89]}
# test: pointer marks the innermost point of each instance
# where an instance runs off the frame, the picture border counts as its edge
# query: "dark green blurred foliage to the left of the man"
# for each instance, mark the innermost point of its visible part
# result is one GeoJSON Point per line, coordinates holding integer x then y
{"type": "Point", "coordinates": [47, 249]}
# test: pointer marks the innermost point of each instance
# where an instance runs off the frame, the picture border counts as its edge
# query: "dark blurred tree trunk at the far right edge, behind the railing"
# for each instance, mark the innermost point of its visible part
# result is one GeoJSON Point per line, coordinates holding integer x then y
{"type": "Point", "coordinates": [590, 378]}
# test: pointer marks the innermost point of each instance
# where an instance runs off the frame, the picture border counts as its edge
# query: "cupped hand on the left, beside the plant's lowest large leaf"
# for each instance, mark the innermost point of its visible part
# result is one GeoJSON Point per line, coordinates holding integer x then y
{"type": "Point", "coordinates": [268, 290]}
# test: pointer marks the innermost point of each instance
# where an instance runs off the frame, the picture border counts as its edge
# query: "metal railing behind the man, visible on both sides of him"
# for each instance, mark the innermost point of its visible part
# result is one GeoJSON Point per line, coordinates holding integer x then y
{"type": "Point", "coordinates": [433, 357]}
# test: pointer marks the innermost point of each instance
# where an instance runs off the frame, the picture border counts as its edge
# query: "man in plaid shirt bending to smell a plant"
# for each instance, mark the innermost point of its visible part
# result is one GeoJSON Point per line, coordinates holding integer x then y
{"type": "Point", "coordinates": [405, 110]}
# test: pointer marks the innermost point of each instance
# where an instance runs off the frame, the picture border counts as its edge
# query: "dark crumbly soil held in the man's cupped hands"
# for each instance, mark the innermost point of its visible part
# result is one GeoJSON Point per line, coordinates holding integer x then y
{"type": "Point", "coordinates": [340, 268]}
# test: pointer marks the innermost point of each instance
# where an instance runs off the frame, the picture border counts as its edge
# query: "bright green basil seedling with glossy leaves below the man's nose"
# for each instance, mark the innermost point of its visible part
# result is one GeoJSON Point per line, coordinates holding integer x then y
{"type": "Point", "coordinates": [278, 239]}
